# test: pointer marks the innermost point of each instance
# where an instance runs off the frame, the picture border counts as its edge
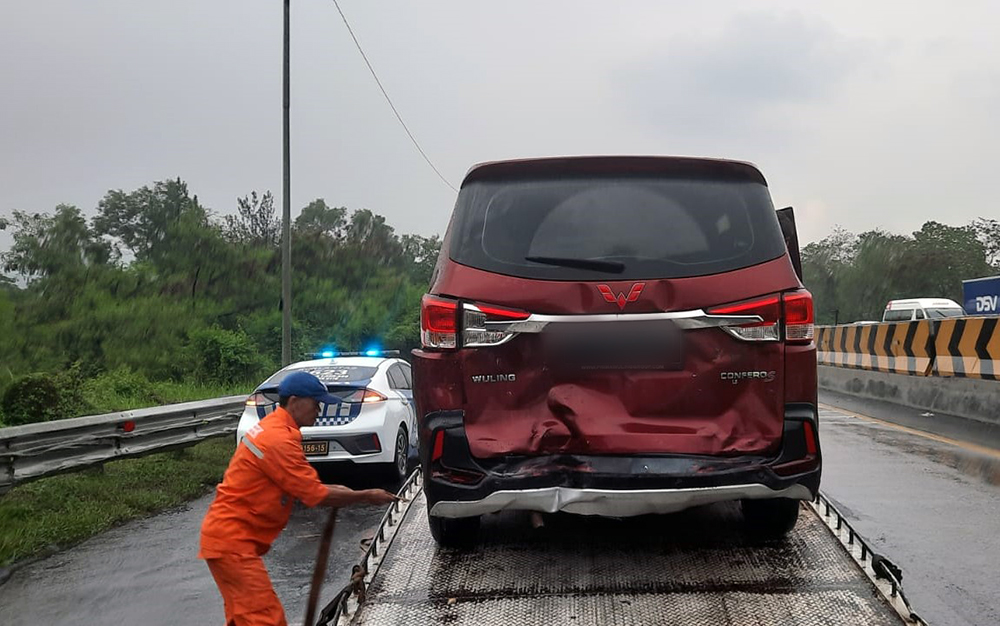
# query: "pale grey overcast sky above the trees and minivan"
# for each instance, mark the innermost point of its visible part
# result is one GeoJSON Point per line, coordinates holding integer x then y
{"type": "Point", "coordinates": [860, 114]}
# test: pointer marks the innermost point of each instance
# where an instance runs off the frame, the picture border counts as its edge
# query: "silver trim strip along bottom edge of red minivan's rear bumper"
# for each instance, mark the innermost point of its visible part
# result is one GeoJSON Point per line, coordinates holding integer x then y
{"type": "Point", "coordinates": [611, 502]}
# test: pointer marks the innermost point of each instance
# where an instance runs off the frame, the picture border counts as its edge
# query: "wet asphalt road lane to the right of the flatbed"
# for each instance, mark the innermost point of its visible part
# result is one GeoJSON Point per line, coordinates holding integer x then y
{"type": "Point", "coordinates": [931, 507]}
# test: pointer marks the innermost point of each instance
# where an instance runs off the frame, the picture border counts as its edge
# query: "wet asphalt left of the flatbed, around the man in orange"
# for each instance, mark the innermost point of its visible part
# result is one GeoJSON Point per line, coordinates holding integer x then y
{"type": "Point", "coordinates": [146, 572]}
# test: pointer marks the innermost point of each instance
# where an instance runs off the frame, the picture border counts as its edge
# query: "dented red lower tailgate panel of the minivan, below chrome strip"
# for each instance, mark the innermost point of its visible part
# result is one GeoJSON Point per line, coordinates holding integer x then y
{"type": "Point", "coordinates": [526, 397]}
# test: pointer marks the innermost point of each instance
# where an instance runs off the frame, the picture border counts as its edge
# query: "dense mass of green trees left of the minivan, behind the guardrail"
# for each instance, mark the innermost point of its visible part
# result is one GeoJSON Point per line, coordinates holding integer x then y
{"type": "Point", "coordinates": [157, 286]}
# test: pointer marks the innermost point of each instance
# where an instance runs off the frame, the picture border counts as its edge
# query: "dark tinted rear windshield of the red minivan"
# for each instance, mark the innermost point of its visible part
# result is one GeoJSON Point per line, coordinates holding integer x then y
{"type": "Point", "coordinates": [646, 227]}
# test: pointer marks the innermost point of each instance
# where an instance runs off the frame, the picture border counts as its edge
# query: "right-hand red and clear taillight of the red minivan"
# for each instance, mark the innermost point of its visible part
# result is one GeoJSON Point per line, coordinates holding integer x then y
{"type": "Point", "coordinates": [793, 310]}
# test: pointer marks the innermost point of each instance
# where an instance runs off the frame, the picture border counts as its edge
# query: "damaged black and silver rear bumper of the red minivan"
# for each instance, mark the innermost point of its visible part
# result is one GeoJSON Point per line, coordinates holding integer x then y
{"type": "Point", "coordinates": [459, 485]}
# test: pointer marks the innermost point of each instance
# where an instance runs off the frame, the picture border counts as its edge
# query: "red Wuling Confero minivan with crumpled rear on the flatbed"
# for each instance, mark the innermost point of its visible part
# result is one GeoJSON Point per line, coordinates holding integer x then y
{"type": "Point", "coordinates": [616, 336]}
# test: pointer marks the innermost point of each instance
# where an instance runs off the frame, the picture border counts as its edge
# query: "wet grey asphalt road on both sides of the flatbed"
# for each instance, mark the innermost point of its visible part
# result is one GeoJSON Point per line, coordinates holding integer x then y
{"type": "Point", "coordinates": [931, 507]}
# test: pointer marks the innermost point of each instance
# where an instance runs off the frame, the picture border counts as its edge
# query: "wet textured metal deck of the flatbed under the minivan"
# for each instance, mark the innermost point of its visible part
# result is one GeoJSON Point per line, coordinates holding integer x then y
{"type": "Point", "coordinates": [692, 568]}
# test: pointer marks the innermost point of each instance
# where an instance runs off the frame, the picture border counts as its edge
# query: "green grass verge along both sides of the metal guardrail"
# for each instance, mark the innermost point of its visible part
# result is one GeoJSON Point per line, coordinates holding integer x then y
{"type": "Point", "coordinates": [58, 511]}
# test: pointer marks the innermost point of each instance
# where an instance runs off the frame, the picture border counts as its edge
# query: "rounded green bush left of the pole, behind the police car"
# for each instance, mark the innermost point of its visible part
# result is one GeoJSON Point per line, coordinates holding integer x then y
{"type": "Point", "coordinates": [224, 356]}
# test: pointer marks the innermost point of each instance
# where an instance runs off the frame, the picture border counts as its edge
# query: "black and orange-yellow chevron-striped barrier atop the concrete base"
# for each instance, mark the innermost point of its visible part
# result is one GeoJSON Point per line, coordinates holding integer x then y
{"type": "Point", "coordinates": [964, 347]}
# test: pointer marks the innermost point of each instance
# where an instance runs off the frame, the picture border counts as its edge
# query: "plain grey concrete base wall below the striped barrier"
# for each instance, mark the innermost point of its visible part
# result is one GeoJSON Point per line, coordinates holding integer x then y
{"type": "Point", "coordinates": [968, 398]}
